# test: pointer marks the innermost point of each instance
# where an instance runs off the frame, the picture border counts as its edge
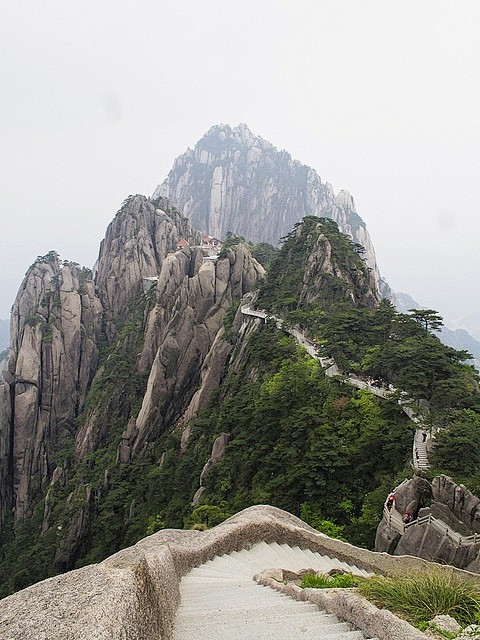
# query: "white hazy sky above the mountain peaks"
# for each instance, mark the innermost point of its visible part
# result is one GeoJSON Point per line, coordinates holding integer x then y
{"type": "Point", "coordinates": [382, 98]}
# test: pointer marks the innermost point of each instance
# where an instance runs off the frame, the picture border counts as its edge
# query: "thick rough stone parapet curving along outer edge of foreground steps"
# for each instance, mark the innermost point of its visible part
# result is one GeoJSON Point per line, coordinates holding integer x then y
{"type": "Point", "coordinates": [134, 594]}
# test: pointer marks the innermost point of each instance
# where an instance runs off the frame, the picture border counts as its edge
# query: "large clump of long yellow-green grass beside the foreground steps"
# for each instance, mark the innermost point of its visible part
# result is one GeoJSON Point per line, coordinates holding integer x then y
{"type": "Point", "coordinates": [421, 596]}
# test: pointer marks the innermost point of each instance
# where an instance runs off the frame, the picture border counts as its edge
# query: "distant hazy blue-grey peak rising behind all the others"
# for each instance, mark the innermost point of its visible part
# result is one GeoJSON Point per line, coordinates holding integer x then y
{"type": "Point", "coordinates": [235, 181]}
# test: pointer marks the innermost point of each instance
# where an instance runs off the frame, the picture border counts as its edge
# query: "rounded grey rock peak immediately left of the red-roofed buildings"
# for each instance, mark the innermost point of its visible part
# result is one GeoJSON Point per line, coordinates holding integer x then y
{"type": "Point", "coordinates": [135, 244]}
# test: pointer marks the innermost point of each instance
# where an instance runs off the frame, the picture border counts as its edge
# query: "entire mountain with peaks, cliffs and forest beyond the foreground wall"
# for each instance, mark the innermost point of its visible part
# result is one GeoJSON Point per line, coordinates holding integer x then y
{"type": "Point", "coordinates": [198, 370]}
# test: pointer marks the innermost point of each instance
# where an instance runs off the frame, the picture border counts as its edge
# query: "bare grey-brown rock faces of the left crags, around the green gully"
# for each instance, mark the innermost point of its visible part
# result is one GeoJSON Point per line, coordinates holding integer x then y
{"type": "Point", "coordinates": [58, 322]}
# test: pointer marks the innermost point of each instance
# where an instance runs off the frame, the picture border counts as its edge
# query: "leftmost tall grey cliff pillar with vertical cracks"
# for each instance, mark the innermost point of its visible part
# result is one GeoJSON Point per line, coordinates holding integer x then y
{"type": "Point", "coordinates": [56, 320]}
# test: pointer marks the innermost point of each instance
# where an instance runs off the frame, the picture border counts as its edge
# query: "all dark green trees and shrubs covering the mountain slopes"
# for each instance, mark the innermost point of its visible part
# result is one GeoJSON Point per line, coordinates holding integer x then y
{"type": "Point", "coordinates": [297, 440]}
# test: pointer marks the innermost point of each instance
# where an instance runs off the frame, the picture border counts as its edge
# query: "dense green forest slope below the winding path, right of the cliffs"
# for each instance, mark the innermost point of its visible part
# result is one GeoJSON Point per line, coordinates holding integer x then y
{"type": "Point", "coordinates": [296, 437]}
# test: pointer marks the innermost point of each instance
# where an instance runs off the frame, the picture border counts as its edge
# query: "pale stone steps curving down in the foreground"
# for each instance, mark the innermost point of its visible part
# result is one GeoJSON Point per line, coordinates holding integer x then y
{"type": "Point", "coordinates": [220, 600]}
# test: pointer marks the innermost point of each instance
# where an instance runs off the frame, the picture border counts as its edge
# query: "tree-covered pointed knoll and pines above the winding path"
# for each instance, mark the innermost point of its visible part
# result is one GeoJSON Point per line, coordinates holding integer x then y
{"type": "Point", "coordinates": [376, 342]}
